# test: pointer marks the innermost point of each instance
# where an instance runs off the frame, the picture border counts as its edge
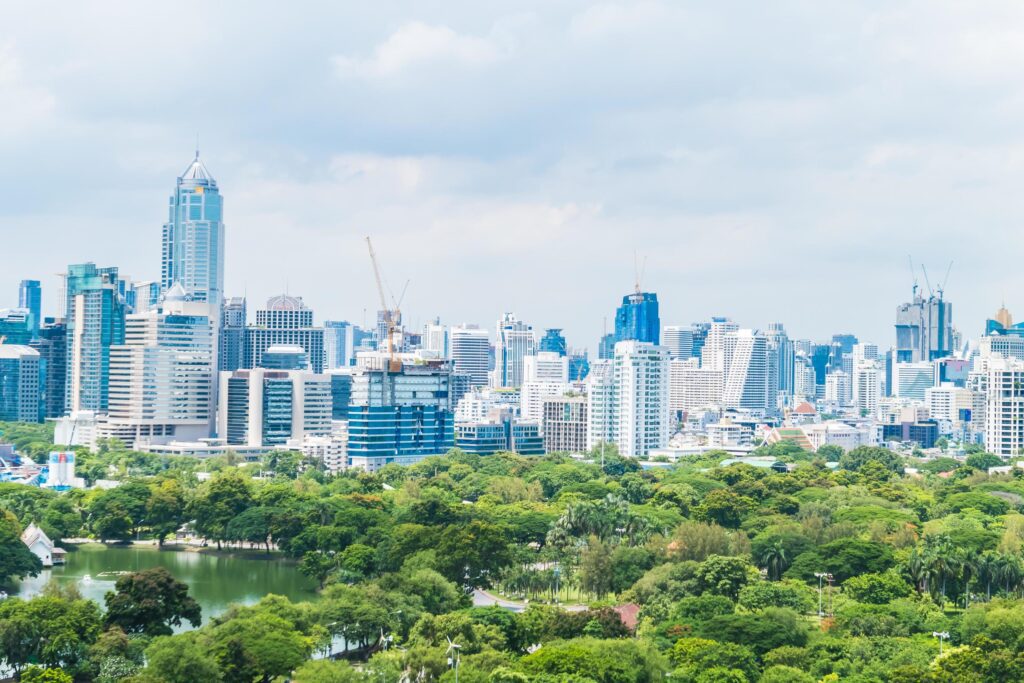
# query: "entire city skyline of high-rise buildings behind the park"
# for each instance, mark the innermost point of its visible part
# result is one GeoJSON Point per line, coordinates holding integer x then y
{"type": "Point", "coordinates": [175, 366]}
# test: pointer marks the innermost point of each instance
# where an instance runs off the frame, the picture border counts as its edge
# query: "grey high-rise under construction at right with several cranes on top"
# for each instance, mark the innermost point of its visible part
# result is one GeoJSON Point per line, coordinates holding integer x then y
{"type": "Point", "coordinates": [924, 329]}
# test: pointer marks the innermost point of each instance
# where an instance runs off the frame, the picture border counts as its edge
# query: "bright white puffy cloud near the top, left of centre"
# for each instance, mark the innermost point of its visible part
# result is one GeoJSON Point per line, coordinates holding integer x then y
{"type": "Point", "coordinates": [418, 45]}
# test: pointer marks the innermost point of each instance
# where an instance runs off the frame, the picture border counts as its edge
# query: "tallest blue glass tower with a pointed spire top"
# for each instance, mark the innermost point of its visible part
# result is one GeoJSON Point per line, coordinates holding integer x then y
{"type": "Point", "coordinates": [194, 238]}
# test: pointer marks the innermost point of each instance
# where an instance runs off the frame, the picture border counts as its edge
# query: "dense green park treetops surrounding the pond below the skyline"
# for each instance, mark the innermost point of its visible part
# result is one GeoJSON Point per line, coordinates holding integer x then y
{"type": "Point", "coordinates": [739, 574]}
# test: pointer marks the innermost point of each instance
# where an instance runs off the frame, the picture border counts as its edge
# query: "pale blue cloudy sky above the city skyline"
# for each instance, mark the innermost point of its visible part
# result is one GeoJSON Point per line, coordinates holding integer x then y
{"type": "Point", "coordinates": [771, 161]}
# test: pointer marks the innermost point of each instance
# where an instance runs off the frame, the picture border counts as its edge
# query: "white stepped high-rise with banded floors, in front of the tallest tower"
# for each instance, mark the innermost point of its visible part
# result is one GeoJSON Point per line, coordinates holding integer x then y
{"type": "Point", "coordinates": [162, 377]}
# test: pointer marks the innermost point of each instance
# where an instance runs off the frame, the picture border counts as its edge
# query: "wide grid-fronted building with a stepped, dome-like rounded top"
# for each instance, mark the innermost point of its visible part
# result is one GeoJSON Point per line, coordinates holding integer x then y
{"type": "Point", "coordinates": [285, 322]}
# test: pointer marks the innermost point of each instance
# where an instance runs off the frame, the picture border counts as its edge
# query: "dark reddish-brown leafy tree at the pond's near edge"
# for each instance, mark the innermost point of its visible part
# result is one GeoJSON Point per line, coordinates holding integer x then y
{"type": "Point", "coordinates": [151, 603]}
